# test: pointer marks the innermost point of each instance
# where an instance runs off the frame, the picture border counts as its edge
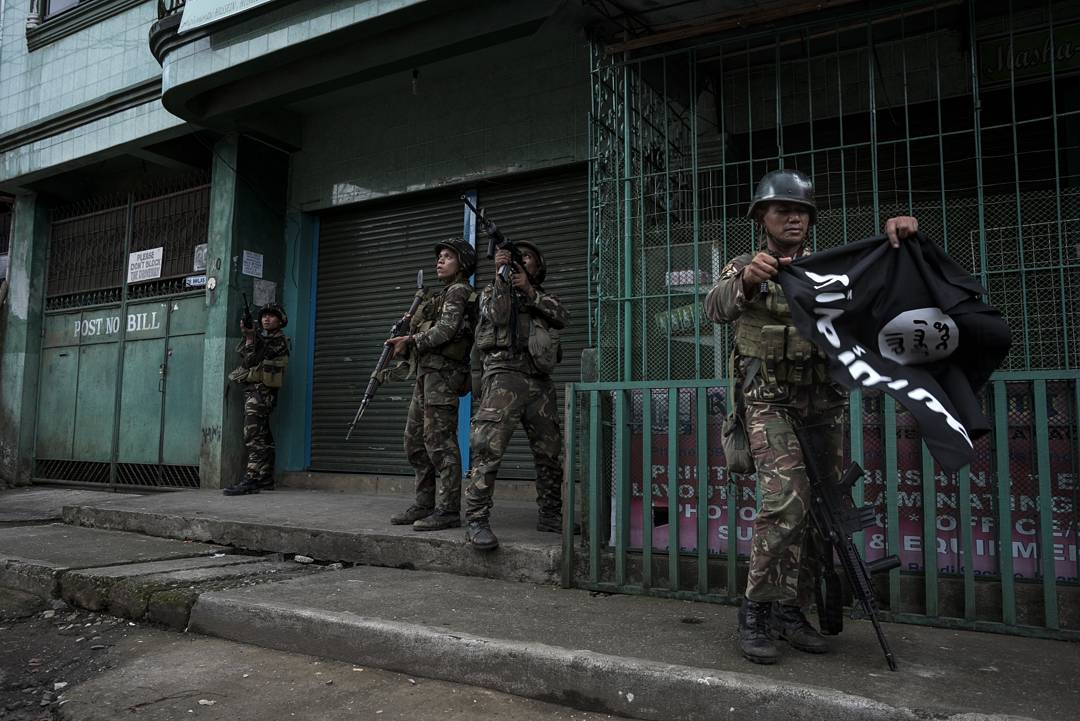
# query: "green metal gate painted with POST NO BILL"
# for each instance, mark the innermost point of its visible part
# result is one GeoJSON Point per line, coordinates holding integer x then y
{"type": "Point", "coordinates": [120, 398]}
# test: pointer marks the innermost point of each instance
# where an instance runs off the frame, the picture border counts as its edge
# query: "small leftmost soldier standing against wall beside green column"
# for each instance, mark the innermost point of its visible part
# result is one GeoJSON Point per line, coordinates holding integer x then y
{"type": "Point", "coordinates": [264, 359]}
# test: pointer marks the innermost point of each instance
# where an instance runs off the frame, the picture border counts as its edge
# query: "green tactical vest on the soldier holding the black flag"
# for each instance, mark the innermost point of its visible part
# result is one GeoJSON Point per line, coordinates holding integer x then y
{"type": "Point", "coordinates": [766, 331]}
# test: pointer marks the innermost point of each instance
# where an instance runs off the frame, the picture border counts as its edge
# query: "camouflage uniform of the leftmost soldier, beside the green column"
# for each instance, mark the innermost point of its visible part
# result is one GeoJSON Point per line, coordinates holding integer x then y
{"type": "Point", "coordinates": [266, 359]}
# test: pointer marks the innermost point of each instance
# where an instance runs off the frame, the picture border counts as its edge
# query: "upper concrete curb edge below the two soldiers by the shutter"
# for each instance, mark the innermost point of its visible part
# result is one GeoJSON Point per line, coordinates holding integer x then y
{"type": "Point", "coordinates": [520, 562]}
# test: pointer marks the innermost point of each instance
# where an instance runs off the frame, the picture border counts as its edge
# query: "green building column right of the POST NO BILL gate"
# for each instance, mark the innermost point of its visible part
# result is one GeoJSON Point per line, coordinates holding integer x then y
{"type": "Point", "coordinates": [247, 213]}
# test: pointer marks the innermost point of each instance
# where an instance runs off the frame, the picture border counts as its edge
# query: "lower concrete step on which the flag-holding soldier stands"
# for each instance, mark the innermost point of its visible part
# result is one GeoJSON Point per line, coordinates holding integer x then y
{"type": "Point", "coordinates": [636, 657]}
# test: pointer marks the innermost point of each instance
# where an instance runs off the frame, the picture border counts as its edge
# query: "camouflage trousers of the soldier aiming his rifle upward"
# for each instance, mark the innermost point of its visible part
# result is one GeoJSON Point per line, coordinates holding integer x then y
{"type": "Point", "coordinates": [509, 399]}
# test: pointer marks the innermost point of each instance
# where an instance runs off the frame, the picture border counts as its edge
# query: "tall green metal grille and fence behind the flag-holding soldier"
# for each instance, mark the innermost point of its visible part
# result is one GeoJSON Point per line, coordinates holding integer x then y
{"type": "Point", "coordinates": [968, 119]}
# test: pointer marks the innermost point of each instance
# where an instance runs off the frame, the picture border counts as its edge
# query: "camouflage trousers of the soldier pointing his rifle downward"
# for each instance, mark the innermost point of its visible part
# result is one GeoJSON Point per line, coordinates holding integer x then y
{"type": "Point", "coordinates": [431, 440]}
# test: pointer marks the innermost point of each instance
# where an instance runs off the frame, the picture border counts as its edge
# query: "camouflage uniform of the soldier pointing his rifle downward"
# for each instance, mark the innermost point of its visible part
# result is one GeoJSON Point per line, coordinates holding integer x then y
{"type": "Point", "coordinates": [443, 333]}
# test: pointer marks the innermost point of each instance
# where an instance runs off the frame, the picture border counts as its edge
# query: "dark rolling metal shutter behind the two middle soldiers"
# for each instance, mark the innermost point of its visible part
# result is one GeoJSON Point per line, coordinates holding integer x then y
{"type": "Point", "coordinates": [368, 264]}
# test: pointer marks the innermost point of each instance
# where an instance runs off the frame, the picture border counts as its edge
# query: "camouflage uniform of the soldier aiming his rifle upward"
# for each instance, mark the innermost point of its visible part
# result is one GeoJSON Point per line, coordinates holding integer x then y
{"type": "Point", "coordinates": [517, 387]}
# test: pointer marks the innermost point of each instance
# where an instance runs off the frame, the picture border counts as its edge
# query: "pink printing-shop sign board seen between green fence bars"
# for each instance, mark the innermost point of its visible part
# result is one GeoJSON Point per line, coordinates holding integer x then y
{"type": "Point", "coordinates": [1024, 523]}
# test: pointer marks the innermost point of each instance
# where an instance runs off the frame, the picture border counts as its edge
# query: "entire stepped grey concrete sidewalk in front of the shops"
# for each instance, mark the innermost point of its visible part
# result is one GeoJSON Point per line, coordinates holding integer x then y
{"type": "Point", "coordinates": [633, 657]}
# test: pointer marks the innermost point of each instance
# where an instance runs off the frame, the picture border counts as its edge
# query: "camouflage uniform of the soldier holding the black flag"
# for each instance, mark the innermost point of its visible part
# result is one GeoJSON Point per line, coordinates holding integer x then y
{"type": "Point", "coordinates": [789, 388]}
